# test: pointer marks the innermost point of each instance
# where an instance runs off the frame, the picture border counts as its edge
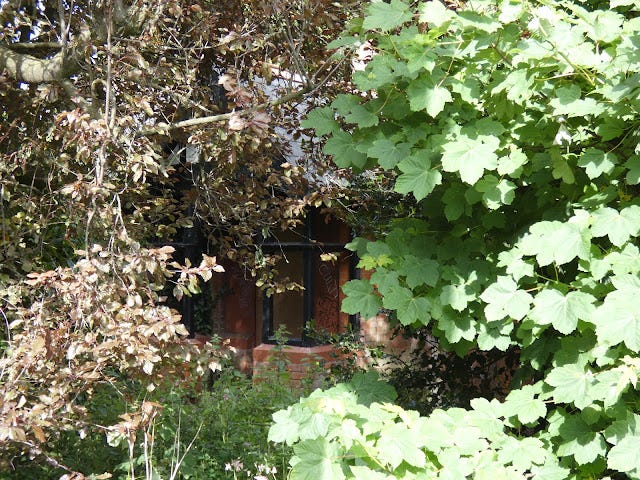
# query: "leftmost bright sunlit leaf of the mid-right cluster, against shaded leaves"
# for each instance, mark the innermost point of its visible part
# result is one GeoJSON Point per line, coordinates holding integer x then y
{"type": "Point", "coordinates": [503, 299]}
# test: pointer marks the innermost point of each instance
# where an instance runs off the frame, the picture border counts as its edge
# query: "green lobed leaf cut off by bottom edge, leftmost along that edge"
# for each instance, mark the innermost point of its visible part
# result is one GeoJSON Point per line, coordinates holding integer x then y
{"type": "Point", "coordinates": [317, 459]}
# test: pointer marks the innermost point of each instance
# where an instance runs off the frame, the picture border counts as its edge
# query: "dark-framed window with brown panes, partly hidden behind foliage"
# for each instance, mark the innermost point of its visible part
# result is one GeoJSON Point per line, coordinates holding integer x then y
{"type": "Point", "coordinates": [320, 300]}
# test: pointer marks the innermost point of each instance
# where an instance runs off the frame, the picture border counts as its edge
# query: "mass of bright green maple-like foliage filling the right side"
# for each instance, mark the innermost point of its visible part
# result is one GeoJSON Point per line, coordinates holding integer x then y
{"type": "Point", "coordinates": [512, 127]}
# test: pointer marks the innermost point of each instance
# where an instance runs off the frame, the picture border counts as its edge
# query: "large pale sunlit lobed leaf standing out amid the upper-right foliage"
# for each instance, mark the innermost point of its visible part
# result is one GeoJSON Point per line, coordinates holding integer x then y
{"type": "Point", "coordinates": [470, 156]}
